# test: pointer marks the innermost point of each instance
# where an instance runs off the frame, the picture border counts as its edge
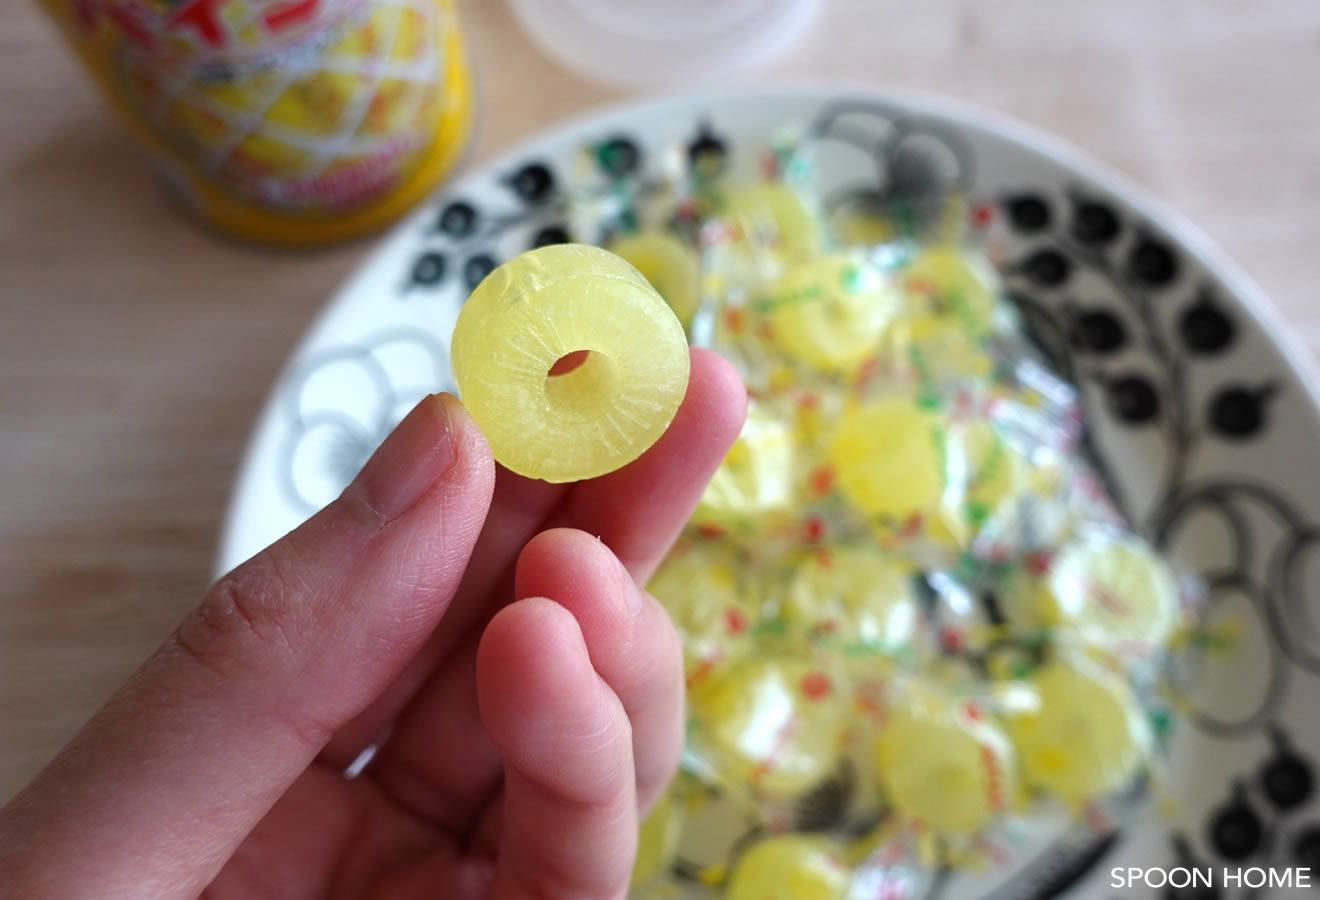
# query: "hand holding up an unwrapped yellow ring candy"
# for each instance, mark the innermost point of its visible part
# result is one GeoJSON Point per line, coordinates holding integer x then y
{"type": "Point", "coordinates": [488, 633]}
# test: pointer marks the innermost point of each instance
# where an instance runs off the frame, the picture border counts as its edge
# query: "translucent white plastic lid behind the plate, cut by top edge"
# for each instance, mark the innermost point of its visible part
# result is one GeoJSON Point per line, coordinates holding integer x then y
{"type": "Point", "coordinates": [645, 43]}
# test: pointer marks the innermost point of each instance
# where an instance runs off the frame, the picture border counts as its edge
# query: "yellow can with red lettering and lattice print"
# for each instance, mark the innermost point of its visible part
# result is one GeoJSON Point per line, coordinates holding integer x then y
{"type": "Point", "coordinates": [286, 122]}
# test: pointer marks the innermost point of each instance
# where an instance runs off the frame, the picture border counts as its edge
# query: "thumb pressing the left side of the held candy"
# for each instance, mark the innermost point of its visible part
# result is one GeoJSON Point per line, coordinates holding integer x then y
{"type": "Point", "coordinates": [159, 790]}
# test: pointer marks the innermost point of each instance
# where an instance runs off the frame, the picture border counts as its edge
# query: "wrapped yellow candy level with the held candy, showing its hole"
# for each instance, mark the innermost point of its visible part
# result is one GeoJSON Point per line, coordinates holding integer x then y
{"type": "Point", "coordinates": [831, 313]}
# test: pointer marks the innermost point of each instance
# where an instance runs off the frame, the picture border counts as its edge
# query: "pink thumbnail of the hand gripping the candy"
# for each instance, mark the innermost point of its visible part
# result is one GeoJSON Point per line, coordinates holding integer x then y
{"type": "Point", "coordinates": [415, 456]}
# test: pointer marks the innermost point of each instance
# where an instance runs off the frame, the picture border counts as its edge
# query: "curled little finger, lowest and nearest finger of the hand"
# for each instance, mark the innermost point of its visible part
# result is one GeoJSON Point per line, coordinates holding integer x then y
{"type": "Point", "coordinates": [571, 815]}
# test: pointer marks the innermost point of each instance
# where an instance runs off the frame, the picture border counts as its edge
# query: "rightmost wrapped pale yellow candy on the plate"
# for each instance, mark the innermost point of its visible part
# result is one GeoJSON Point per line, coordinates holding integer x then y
{"type": "Point", "coordinates": [1111, 592]}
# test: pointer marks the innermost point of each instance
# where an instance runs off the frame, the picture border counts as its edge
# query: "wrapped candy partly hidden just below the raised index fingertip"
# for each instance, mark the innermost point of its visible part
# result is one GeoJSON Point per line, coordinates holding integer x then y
{"type": "Point", "coordinates": [756, 480]}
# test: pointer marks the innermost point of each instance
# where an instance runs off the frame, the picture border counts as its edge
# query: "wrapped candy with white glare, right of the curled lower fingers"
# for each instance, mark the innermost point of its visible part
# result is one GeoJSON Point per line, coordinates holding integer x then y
{"type": "Point", "coordinates": [775, 725]}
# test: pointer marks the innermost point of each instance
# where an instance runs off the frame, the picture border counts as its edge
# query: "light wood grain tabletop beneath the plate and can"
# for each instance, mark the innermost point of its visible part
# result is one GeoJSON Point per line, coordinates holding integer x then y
{"type": "Point", "coordinates": [135, 349]}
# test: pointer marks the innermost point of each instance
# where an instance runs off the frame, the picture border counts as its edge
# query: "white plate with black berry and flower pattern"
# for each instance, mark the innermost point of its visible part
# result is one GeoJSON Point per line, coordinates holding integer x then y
{"type": "Point", "coordinates": [1203, 414]}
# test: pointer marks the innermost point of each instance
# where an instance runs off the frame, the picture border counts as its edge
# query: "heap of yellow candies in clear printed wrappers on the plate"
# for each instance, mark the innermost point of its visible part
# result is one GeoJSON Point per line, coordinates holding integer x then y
{"type": "Point", "coordinates": [914, 625]}
